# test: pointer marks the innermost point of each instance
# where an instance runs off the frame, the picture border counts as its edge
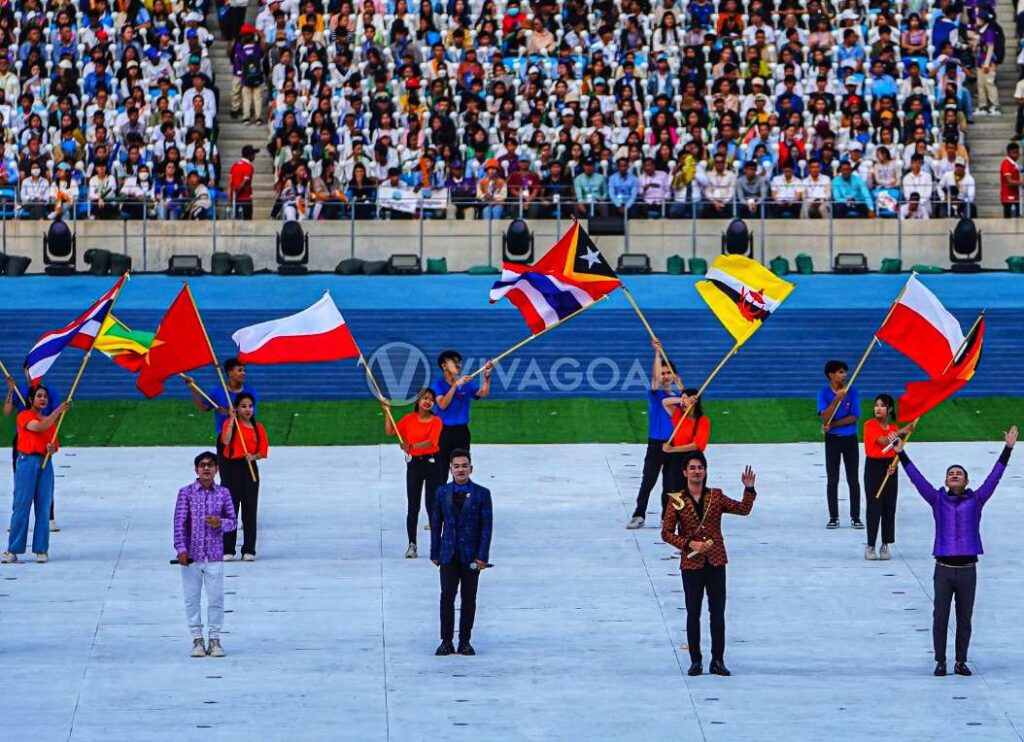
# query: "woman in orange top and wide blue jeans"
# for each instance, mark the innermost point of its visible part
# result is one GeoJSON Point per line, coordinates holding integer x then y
{"type": "Point", "coordinates": [33, 483]}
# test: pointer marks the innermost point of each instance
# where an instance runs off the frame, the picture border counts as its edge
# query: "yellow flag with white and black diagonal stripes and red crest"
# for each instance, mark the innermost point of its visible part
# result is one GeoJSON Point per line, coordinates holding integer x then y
{"type": "Point", "coordinates": [743, 294]}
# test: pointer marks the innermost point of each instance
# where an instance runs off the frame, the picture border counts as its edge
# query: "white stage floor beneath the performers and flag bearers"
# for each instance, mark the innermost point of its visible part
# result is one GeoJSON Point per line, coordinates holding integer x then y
{"type": "Point", "coordinates": [580, 629]}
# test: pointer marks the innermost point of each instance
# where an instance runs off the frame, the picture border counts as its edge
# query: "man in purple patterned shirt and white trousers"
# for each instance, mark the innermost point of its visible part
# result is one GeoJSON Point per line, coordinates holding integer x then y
{"type": "Point", "coordinates": [202, 516]}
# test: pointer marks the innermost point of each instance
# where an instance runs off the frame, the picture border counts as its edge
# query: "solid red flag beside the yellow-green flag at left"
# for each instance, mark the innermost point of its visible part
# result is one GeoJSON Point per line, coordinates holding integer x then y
{"type": "Point", "coordinates": [181, 344]}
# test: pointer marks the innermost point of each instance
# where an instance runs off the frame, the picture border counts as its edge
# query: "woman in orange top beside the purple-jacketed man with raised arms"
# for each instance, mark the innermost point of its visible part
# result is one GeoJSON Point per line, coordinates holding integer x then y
{"type": "Point", "coordinates": [880, 432]}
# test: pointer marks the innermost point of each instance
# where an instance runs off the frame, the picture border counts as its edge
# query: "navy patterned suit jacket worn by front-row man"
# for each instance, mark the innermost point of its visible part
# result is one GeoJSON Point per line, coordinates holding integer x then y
{"type": "Point", "coordinates": [466, 537]}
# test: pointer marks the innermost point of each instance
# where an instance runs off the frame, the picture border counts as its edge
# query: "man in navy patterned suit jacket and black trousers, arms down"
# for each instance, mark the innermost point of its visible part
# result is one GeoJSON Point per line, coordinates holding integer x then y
{"type": "Point", "coordinates": [460, 543]}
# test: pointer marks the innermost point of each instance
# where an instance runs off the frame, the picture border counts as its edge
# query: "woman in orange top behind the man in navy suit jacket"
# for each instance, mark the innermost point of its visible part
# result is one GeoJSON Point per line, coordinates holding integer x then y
{"type": "Point", "coordinates": [420, 433]}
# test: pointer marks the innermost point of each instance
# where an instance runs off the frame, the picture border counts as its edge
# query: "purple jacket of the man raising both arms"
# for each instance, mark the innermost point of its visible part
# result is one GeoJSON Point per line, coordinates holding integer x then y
{"type": "Point", "coordinates": [958, 518]}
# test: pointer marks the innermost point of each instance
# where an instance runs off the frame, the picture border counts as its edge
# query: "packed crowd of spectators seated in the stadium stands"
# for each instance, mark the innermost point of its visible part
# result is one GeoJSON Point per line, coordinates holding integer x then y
{"type": "Point", "coordinates": [502, 108]}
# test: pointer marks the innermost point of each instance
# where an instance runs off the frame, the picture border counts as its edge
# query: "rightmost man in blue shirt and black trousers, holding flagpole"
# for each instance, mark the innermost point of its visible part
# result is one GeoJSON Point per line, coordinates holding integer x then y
{"type": "Point", "coordinates": [839, 410]}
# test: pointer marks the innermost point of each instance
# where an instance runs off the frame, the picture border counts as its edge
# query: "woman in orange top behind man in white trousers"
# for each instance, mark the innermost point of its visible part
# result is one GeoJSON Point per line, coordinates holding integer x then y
{"type": "Point", "coordinates": [244, 440]}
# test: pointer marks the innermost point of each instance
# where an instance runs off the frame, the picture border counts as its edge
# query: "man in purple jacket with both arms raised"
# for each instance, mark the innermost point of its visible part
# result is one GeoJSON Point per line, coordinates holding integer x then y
{"type": "Point", "coordinates": [957, 510]}
